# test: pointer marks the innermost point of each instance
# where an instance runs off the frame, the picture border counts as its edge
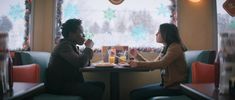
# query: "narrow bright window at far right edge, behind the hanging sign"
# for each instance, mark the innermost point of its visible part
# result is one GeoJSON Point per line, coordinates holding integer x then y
{"type": "Point", "coordinates": [226, 35]}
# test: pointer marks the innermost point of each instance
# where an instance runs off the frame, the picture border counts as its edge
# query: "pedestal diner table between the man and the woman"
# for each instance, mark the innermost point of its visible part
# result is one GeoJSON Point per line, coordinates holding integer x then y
{"type": "Point", "coordinates": [114, 76]}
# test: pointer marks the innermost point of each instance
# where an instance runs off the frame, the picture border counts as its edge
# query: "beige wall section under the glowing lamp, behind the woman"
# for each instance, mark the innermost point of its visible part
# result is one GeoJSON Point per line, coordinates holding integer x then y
{"type": "Point", "coordinates": [196, 24]}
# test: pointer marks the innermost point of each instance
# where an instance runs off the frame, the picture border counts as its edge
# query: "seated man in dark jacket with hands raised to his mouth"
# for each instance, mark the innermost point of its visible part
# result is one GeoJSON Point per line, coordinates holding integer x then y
{"type": "Point", "coordinates": [63, 75]}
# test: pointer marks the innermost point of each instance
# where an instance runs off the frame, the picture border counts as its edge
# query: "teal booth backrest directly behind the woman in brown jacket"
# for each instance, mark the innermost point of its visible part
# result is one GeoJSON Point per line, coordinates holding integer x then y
{"type": "Point", "coordinates": [205, 56]}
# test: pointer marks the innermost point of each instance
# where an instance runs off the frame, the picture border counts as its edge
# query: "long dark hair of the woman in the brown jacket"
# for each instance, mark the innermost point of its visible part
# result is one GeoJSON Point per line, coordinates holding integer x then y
{"type": "Point", "coordinates": [170, 34]}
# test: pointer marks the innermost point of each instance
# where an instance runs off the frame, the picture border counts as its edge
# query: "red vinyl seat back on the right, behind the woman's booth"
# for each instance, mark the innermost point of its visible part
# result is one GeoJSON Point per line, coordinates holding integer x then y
{"type": "Point", "coordinates": [203, 73]}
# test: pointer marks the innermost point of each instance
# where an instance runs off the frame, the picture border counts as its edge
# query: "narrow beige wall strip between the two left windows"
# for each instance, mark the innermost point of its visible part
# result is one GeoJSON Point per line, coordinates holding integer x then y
{"type": "Point", "coordinates": [43, 15]}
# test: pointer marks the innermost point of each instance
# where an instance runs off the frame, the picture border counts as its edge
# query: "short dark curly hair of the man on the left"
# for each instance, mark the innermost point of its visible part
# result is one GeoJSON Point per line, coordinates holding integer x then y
{"type": "Point", "coordinates": [71, 25]}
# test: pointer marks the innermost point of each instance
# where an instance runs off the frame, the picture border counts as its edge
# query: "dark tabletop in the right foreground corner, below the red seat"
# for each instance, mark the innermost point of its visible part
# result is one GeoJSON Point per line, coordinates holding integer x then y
{"type": "Point", "coordinates": [204, 91]}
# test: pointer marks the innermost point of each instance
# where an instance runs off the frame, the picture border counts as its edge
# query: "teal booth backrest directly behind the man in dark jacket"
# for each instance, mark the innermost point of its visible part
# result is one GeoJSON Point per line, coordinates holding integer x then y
{"type": "Point", "coordinates": [37, 57]}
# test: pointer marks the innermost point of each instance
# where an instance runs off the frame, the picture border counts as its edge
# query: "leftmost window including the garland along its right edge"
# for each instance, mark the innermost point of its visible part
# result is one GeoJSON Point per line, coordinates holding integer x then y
{"type": "Point", "coordinates": [14, 17]}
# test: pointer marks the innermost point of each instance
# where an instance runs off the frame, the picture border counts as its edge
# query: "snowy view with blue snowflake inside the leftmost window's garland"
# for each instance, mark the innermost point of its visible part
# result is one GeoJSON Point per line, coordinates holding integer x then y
{"type": "Point", "coordinates": [13, 10]}
